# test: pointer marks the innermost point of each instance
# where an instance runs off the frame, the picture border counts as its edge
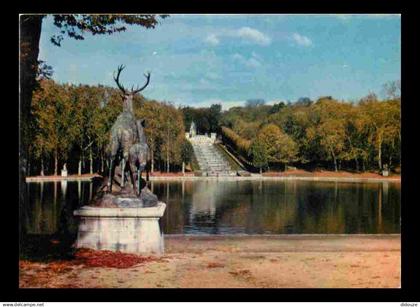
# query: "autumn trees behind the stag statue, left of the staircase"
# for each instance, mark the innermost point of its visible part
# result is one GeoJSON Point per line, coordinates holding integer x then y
{"type": "Point", "coordinates": [71, 123]}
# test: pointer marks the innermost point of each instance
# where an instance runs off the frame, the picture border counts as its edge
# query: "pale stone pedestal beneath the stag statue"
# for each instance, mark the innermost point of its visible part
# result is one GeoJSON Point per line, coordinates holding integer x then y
{"type": "Point", "coordinates": [129, 230]}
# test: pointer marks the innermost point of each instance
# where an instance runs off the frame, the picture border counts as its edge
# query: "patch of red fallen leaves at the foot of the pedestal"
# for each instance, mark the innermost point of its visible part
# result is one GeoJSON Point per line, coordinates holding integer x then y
{"type": "Point", "coordinates": [93, 258]}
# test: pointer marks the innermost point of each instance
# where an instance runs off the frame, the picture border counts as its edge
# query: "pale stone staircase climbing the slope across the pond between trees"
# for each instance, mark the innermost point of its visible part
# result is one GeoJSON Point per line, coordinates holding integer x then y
{"type": "Point", "coordinates": [210, 160]}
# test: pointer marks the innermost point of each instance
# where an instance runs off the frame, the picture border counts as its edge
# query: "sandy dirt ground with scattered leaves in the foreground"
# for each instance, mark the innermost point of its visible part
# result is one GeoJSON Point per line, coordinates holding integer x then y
{"type": "Point", "coordinates": [284, 261]}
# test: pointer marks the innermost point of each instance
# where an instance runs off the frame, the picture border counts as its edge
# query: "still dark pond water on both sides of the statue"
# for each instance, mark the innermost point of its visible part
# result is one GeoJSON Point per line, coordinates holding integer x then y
{"type": "Point", "coordinates": [234, 207]}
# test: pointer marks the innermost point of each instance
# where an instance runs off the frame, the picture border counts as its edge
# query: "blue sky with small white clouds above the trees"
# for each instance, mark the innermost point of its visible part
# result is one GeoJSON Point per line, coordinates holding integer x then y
{"type": "Point", "coordinates": [198, 60]}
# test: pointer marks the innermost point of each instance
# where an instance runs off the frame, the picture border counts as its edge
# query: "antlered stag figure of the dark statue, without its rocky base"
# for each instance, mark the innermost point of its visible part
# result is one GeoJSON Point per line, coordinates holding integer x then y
{"type": "Point", "coordinates": [125, 133]}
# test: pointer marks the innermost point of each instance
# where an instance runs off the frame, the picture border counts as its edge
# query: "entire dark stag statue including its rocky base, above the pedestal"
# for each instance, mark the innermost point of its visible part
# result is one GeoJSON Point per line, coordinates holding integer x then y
{"type": "Point", "coordinates": [128, 147]}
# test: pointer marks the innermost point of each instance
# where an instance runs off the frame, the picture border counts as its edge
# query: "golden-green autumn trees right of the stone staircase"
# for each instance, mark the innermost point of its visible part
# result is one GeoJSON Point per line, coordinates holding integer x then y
{"type": "Point", "coordinates": [365, 135]}
